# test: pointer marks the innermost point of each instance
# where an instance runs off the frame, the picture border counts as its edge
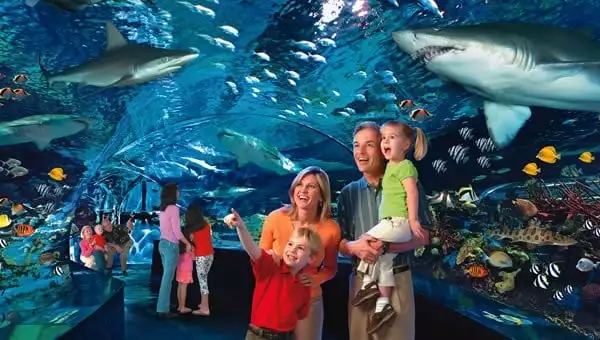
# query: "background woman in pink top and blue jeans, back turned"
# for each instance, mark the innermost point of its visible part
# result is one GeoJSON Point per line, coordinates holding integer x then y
{"type": "Point", "coordinates": [168, 247]}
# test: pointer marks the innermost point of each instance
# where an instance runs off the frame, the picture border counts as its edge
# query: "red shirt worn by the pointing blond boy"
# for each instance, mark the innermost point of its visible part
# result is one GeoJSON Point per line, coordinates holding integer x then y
{"type": "Point", "coordinates": [279, 299]}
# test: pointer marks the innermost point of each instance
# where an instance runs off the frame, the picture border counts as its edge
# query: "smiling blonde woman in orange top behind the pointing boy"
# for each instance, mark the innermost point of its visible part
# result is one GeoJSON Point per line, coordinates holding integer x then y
{"type": "Point", "coordinates": [310, 197]}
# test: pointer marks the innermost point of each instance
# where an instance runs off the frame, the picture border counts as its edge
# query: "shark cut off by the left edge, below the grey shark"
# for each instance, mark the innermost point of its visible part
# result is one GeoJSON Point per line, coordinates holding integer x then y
{"type": "Point", "coordinates": [41, 129]}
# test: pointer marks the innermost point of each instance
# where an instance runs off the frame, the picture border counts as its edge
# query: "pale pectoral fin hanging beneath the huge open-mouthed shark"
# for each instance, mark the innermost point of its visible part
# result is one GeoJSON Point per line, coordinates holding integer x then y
{"type": "Point", "coordinates": [504, 121]}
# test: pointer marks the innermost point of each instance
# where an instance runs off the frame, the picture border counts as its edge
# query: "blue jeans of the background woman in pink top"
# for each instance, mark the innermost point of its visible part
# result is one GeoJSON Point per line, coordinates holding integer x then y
{"type": "Point", "coordinates": [169, 254]}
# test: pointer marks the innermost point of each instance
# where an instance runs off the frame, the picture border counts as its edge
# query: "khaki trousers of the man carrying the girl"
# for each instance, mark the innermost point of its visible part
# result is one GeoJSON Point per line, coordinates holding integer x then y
{"type": "Point", "coordinates": [403, 302]}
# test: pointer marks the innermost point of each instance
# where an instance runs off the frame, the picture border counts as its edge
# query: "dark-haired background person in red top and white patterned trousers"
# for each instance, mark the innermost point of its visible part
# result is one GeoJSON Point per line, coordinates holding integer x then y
{"type": "Point", "coordinates": [203, 252]}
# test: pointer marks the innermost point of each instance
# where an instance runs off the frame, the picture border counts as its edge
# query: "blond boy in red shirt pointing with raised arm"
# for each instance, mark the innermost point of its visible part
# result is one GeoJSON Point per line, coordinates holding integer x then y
{"type": "Point", "coordinates": [279, 299]}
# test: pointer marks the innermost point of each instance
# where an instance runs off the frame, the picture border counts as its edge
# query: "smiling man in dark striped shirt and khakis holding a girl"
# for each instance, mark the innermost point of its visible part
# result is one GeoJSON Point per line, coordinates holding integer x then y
{"type": "Point", "coordinates": [358, 212]}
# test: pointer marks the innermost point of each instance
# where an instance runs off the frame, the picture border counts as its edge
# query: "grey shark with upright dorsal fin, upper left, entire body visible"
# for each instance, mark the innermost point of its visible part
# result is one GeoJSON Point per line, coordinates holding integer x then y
{"type": "Point", "coordinates": [123, 64]}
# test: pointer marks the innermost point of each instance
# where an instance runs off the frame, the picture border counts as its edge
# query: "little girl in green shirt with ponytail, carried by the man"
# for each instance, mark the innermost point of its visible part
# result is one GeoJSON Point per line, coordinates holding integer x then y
{"type": "Point", "coordinates": [398, 215]}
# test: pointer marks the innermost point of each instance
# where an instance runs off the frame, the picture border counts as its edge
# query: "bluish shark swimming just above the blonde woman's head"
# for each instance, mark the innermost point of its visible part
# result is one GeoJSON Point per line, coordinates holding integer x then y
{"type": "Point", "coordinates": [248, 149]}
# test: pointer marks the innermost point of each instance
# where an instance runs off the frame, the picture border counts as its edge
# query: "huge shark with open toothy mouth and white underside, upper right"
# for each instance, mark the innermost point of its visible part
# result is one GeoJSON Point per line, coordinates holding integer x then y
{"type": "Point", "coordinates": [512, 66]}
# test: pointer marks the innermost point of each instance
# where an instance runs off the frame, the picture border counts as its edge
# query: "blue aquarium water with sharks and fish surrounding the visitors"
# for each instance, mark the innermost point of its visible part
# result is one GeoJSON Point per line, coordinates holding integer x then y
{"type": "Point", "coordinates": [231, 107]}
